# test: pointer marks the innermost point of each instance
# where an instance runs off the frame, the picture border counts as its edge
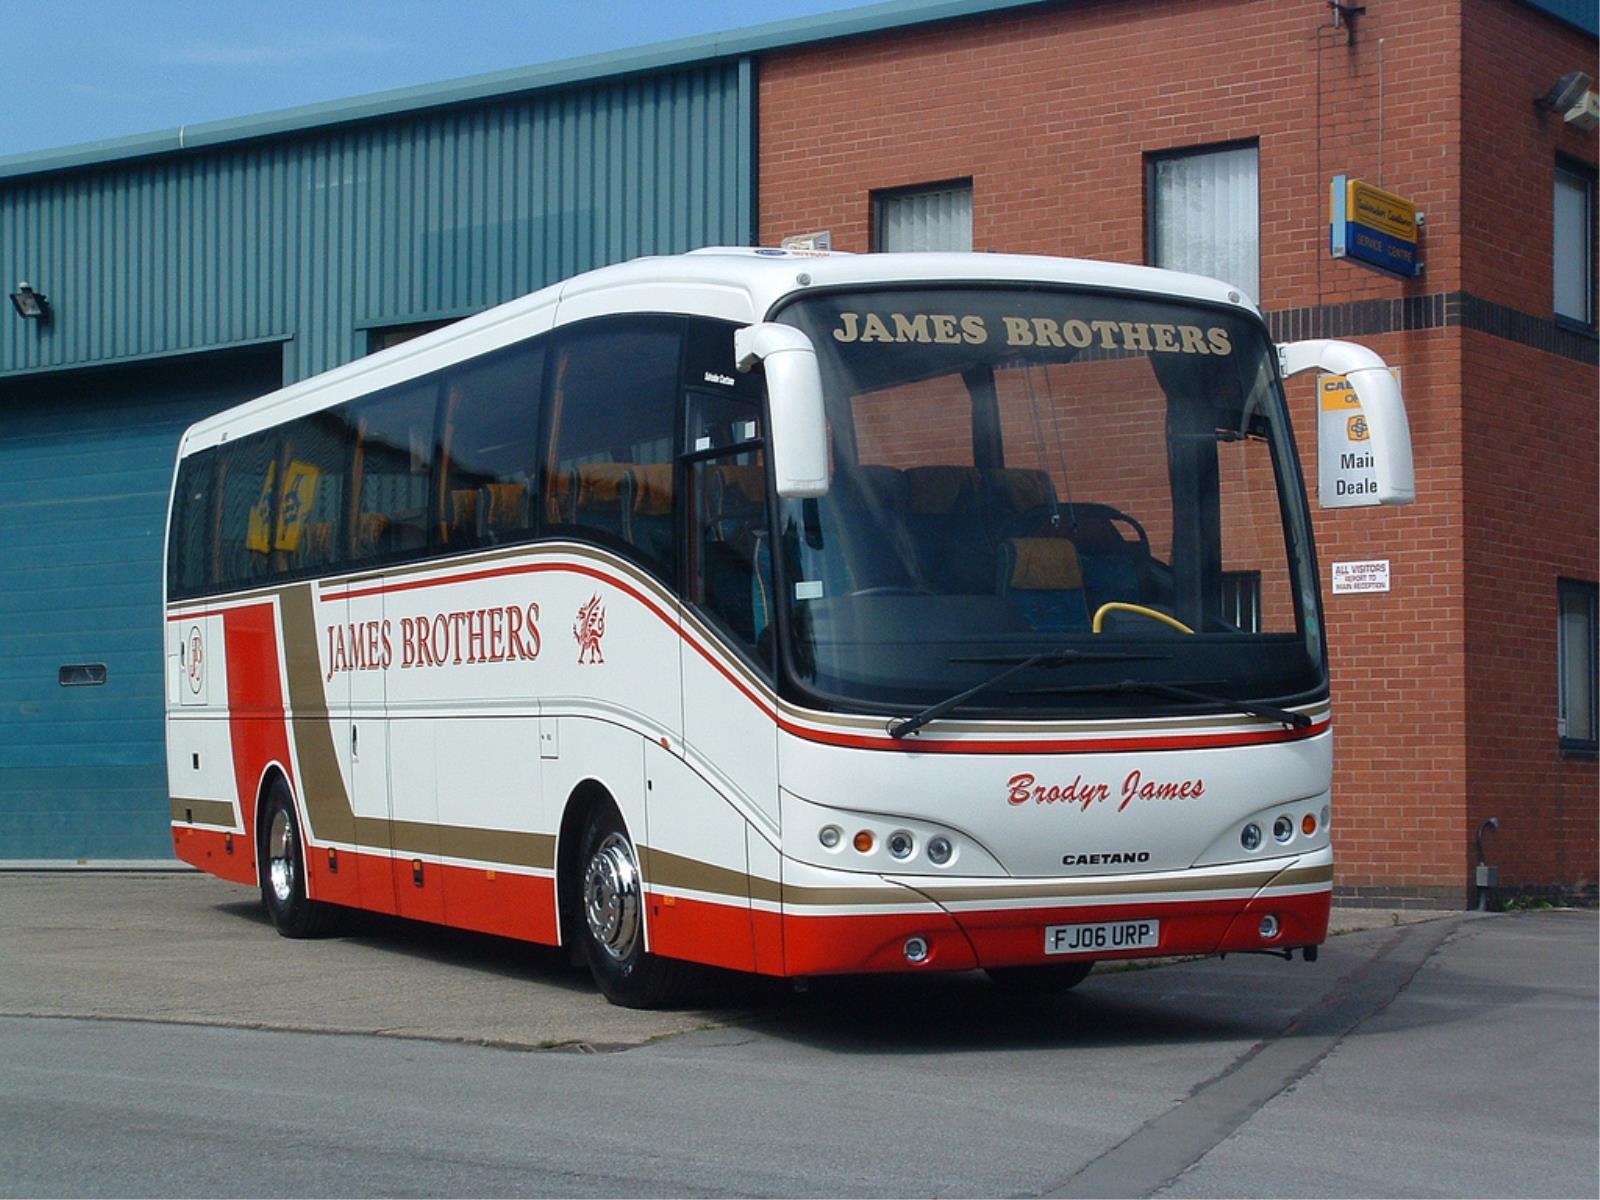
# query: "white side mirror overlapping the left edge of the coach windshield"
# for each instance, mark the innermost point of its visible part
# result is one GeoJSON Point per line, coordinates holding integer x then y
{"type": "Point", "coordinates": [798, 436]}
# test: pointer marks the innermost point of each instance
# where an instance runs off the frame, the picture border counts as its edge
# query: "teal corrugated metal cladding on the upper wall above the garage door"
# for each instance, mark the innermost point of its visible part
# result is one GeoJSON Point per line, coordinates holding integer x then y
{"type": "Point", "coordinates": [318, 238]}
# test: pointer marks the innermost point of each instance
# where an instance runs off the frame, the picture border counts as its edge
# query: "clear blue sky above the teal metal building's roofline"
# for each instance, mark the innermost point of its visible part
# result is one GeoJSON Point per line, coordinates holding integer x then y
{"type": "Point", "coordinates": [81, 71]}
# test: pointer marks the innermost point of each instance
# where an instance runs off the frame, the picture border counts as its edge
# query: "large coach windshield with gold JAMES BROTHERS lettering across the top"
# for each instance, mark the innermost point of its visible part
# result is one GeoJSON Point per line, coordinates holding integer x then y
{"type": "Point", "coordinates": [1094, 487]}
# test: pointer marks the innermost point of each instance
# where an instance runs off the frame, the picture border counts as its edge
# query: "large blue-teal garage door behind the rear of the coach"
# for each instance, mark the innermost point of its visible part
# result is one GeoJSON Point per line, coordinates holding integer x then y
{"type": "Point", "coordinates": [86, 468]}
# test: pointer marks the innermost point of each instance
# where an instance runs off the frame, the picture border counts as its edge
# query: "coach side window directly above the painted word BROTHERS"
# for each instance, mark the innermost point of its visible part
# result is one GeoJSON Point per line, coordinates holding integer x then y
{"type": "Point", "coordinates": [487, 447]}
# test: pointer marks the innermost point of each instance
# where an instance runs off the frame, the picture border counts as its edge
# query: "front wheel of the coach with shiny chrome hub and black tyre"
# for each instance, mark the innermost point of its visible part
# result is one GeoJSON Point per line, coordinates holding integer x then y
{"type": "Point", "coordinates": [610, 918]}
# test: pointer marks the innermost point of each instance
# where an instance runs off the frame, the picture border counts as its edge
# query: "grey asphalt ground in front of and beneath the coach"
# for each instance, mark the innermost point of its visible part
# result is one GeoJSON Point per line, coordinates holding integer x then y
{"type": "Point", "coordinates": [1455, 1057]}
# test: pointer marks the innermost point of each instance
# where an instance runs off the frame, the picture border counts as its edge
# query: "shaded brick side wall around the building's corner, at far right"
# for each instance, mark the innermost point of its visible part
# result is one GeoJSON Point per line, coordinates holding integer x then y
{"type": "Point", "coordinates": [1529, 457]}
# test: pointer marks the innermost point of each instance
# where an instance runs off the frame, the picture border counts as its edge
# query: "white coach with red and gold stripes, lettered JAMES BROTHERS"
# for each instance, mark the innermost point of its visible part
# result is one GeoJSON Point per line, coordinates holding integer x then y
{"type": "Point", "coordinates": [786, 614]}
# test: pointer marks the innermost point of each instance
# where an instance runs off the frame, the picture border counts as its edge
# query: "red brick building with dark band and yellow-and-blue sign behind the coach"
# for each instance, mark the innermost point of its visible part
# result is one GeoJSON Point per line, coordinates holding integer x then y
{"type": "Point", "coordinates": [1052, 121]}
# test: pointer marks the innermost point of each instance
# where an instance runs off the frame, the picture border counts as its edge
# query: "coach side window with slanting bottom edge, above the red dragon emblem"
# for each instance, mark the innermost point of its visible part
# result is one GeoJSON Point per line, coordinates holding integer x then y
{"type": "Point", "coordinates": [614, 402]}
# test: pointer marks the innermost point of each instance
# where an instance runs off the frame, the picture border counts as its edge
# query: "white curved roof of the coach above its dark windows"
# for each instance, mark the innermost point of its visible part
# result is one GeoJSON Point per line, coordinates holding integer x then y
{"type": "Point", "coordinates": [738, 284]}
